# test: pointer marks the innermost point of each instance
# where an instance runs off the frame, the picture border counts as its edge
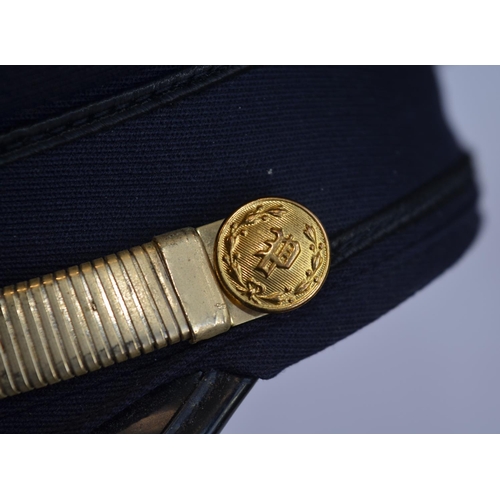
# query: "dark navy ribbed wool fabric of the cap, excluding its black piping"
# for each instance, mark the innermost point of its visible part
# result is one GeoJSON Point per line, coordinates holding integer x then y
{"type": "Point", "coordinates": [344, 142]}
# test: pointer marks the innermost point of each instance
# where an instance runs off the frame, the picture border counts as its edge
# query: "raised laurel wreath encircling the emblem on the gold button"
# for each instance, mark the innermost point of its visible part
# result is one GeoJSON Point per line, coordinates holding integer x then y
{"type": "Point", "coordinates": [253, 289]}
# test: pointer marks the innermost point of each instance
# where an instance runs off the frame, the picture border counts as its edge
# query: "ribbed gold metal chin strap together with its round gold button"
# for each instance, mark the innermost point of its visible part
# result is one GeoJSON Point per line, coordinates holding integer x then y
{"type": "Point", "coordinates": [271, 255]}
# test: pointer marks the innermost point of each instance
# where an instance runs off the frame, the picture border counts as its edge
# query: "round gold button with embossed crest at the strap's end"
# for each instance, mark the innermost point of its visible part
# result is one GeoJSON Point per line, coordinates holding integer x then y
{"type": "Point", "coordinates": [272, 255]}
